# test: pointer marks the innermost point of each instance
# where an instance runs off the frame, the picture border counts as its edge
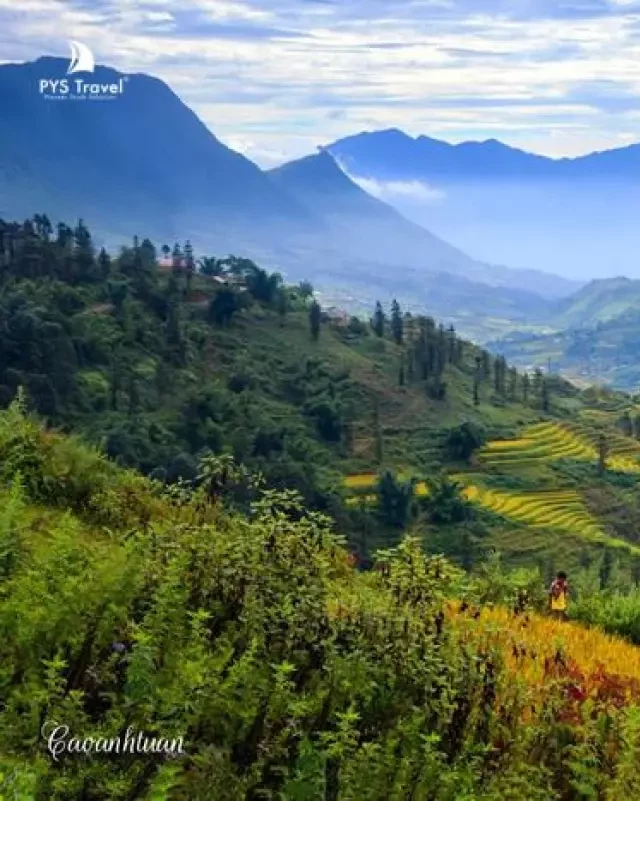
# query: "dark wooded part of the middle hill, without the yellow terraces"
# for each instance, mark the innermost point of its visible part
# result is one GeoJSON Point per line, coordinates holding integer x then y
{"type": "Point", "coordinates": [158, 366]}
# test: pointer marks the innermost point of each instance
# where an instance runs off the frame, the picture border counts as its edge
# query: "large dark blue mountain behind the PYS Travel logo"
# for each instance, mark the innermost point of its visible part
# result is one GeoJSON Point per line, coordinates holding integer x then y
{"type": "Point", "coordinates": [141, 162]}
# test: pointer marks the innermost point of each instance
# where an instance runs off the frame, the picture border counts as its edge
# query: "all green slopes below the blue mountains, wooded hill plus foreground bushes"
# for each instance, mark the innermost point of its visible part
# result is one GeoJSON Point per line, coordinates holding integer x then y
{"type": "Point", "coordinates": [304, 547]}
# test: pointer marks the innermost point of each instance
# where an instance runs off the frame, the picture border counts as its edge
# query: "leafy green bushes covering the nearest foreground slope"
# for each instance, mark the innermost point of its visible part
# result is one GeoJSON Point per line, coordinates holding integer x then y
{"type": "Point", "coordinates": [289, 676]}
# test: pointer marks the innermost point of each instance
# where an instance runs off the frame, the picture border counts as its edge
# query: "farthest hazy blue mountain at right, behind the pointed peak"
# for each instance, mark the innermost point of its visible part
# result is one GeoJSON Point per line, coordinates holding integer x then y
{"type": "Point", "coordinates": [576, 217]}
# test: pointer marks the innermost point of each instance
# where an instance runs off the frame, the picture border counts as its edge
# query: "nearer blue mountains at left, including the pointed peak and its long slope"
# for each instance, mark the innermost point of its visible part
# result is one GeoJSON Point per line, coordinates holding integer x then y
{"type": "Point", "coordinates": [145, 163]}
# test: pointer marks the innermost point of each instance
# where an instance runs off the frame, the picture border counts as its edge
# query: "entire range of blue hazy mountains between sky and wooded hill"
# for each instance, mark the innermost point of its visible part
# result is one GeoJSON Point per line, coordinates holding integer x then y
{"type": "Point", "coordinates": [145, 163]}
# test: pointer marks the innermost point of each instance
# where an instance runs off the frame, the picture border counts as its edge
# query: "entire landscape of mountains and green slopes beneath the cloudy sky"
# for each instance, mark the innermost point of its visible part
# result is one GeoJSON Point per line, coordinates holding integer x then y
{"type": "Point", "coordinates": [289, 461]}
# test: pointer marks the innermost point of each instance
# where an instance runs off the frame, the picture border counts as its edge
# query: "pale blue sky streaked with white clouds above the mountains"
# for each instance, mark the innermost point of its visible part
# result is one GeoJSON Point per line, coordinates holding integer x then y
{"type": "Point", "coordinates": [276, 78]}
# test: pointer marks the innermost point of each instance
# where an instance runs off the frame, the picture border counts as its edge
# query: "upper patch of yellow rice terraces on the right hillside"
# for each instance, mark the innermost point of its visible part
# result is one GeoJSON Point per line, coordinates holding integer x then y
{"type": "Point", "coordinates": [552, 440]}
